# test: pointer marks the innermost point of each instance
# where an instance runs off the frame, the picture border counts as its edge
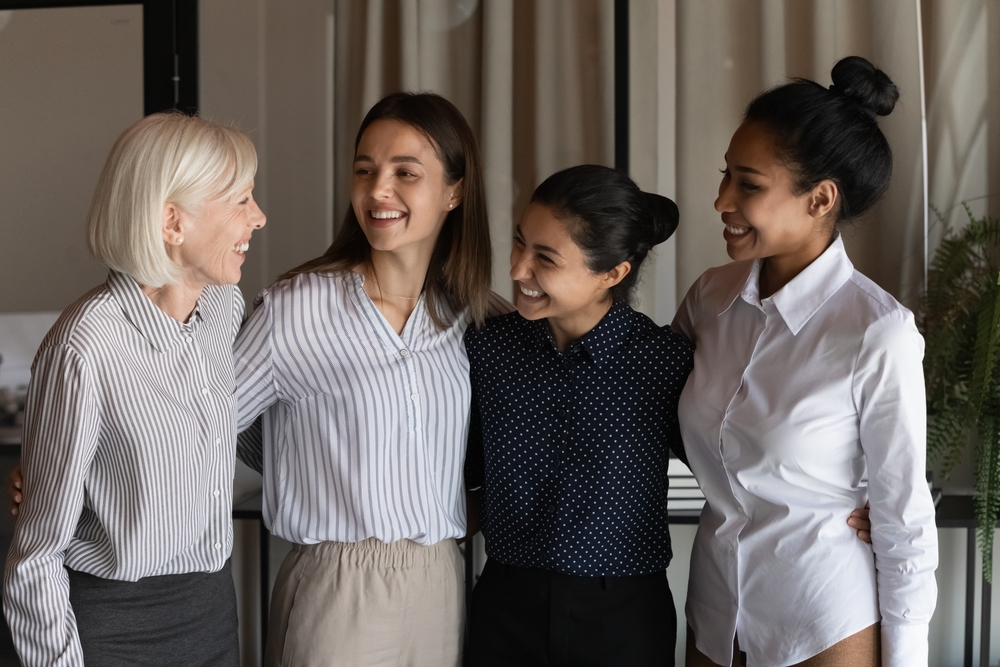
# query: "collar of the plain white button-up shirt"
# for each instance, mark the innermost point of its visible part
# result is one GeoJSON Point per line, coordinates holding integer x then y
{"type": "Point", "coordinates": [806, 293]}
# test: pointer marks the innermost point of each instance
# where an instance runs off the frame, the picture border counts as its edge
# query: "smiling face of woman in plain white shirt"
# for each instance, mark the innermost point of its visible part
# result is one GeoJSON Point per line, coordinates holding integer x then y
{"type": "Point", "coordinates": [763, 216]}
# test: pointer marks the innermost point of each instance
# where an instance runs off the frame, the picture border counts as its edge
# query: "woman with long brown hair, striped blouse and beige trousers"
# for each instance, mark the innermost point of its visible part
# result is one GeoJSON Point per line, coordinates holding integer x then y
{"type": "Point", "coordinates": [357, 362]}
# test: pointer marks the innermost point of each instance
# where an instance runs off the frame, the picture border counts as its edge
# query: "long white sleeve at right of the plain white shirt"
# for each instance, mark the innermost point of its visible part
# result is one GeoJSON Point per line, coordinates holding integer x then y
{"type": "Point", "coordinates": [889, 389]}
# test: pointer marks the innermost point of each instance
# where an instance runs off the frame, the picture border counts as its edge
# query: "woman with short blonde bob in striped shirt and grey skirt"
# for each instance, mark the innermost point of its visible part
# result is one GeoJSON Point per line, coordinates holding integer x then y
{"type": "Point", "coordinates": [121, 550]}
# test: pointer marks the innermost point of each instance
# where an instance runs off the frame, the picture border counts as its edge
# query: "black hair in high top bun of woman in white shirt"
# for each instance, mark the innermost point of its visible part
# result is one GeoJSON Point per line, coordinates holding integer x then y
{"type": "Point", "coordinates": [832, 133]}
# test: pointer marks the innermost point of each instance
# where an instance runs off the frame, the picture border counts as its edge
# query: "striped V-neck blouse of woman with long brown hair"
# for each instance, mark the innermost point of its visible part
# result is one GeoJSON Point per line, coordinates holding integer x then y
{"type": "Point", "coordinates": [364, 430]}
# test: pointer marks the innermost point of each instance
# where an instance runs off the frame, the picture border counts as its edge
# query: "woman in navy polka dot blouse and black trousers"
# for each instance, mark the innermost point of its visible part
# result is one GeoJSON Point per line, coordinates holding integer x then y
{"type": "Point", "coordinates": [574, 410]}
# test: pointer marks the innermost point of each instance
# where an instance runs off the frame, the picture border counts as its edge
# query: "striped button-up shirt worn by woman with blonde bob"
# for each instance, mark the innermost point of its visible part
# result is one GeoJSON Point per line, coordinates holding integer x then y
{"type": "Point", "coordinates": [128, 455]}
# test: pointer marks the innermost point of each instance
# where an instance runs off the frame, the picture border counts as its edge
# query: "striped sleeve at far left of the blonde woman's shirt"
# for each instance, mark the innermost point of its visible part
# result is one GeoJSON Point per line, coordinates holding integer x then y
{"type": "Point", "coordinates": [60, 440]}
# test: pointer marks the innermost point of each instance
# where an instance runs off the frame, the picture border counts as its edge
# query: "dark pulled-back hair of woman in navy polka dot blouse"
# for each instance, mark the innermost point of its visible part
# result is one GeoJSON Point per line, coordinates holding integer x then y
{"type": "Point", "coordinates": [609, 218]}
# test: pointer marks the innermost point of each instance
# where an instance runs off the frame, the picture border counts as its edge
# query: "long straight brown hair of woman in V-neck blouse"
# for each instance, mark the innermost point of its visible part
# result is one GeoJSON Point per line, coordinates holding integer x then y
{"type": "Point", "coordinates": [459, 272]}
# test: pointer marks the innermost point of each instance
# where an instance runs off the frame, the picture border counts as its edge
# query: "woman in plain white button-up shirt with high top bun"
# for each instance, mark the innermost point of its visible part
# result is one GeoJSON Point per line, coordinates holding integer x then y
{"type": "Point", "coordinates": [807, 380]}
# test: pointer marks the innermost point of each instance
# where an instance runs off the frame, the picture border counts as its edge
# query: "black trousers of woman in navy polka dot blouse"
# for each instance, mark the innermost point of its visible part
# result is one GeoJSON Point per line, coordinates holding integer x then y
{"type": "Point", "coordinates": [525, 617]}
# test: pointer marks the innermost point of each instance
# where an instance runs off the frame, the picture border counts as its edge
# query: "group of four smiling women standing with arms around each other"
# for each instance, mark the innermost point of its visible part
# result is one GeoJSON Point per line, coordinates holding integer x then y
{"type": "Point", "coordinates": [401, 399]}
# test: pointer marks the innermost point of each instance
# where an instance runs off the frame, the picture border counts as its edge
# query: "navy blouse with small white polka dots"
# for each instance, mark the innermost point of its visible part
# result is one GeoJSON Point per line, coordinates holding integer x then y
{"type": "Point", "coordinates": [571, 448]}
